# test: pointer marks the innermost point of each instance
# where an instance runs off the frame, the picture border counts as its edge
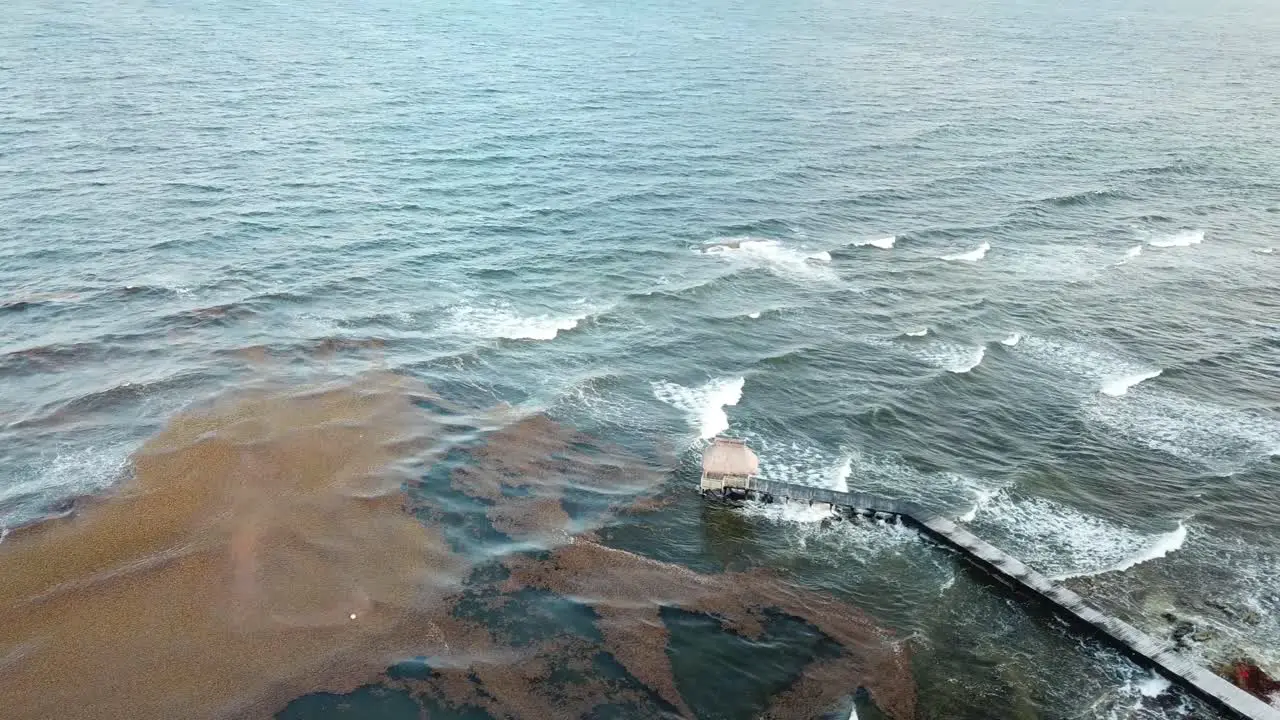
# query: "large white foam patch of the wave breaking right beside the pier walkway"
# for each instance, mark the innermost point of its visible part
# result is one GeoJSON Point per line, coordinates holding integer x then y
{"type": "Point", "coordinates": [1064, 543]}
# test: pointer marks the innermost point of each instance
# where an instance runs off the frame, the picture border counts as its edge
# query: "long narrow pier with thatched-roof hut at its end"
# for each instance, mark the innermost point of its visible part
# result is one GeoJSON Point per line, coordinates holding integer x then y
{"type": "Point", "coordinates": [1144, 649]}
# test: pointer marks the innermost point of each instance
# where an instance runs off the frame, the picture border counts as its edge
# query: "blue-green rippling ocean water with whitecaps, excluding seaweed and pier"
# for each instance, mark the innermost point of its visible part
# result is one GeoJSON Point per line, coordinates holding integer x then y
{"type": "Point", "coordinates": [1013, 261]}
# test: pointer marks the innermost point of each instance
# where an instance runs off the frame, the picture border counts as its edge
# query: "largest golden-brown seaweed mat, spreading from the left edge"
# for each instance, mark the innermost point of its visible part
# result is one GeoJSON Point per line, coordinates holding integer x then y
{"type": "Point", "coordinates": [260, 552]}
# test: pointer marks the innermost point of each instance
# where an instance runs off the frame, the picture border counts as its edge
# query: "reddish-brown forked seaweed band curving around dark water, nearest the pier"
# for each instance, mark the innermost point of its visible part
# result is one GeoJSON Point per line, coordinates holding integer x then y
{"type": "Point", "coordinates": [628, 591]}
